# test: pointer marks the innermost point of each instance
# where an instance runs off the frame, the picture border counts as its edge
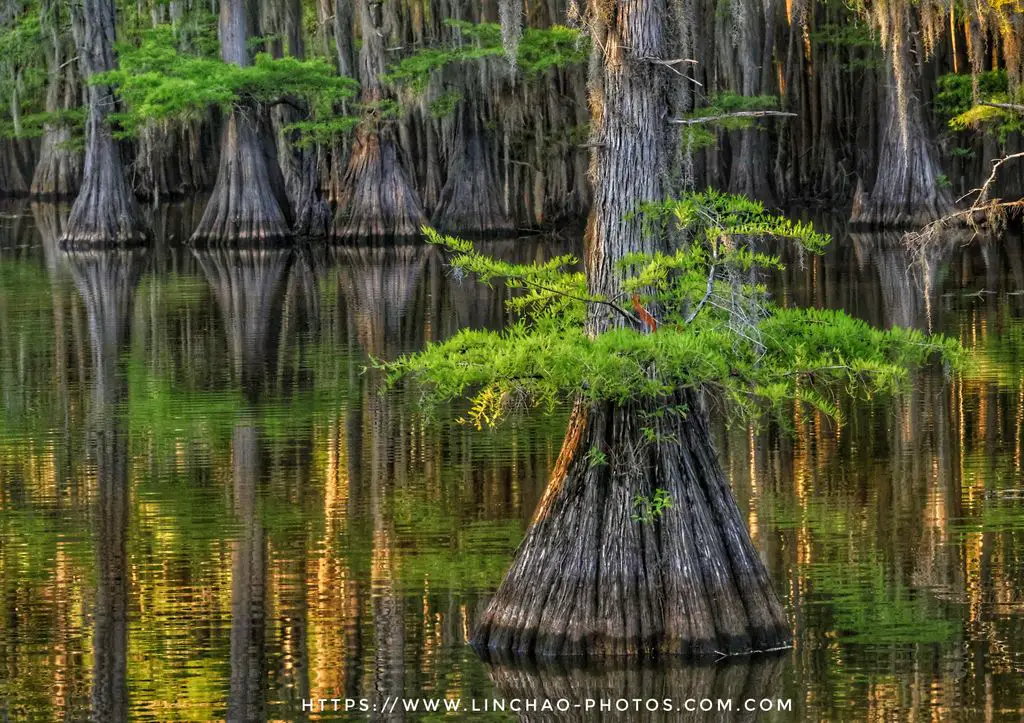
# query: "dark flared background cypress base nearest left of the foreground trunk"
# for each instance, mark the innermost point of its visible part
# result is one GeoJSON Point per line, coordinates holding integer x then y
{"type": "Point", "coordinates": [471, 202]}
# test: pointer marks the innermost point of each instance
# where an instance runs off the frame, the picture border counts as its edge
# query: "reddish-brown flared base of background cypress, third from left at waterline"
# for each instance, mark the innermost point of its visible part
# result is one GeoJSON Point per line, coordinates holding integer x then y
{"type": "Point", "coordinates": [377, 199]}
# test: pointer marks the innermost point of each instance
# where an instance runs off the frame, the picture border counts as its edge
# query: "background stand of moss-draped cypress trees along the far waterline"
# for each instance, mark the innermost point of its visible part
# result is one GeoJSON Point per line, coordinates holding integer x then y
{"type": "Point", "coordinates": [358, 117]}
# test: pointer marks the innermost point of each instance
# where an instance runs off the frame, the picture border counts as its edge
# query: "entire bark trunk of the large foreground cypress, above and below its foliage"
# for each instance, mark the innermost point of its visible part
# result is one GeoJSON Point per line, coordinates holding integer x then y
{"type": "Point", "coordinates": [588, 580]}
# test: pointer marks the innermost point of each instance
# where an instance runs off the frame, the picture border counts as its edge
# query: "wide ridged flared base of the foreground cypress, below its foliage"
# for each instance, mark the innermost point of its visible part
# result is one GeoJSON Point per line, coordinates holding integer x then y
{"type": "Point", "coordinates": [592, 580]}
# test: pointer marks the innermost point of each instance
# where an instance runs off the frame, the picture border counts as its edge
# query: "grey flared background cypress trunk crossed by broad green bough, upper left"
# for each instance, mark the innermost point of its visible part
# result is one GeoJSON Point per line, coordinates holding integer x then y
{"type": "Point", "coordinates": [249, 203]}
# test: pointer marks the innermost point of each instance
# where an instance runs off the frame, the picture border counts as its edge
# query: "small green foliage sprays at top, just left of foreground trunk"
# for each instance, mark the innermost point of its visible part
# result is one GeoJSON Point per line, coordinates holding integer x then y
{"type": "Point", "coordinates": [539, 51]}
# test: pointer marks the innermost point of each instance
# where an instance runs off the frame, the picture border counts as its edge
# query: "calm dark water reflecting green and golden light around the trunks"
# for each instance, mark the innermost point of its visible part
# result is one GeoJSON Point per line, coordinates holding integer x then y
{"type": "Point", "coordinates": [208, 511]}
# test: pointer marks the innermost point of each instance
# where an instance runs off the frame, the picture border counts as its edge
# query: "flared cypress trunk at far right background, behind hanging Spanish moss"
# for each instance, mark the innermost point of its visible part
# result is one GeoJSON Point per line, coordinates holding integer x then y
{"type": "Point", "coordinates": [908, 191]}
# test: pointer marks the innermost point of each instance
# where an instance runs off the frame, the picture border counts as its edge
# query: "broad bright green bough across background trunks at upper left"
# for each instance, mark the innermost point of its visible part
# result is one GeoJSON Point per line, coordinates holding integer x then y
{"type": "Point", "coordinates": [161, 82]}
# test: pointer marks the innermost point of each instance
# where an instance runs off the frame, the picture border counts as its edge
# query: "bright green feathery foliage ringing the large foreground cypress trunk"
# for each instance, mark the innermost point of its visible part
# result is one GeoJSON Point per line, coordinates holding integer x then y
{"type": "Point", "coordinates": [718, 331]}
